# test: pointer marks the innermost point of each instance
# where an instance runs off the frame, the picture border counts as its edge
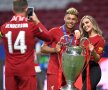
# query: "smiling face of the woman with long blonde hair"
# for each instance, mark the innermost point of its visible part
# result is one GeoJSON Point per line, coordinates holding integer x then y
{"type": "Point", "coordinates": [87, 25]}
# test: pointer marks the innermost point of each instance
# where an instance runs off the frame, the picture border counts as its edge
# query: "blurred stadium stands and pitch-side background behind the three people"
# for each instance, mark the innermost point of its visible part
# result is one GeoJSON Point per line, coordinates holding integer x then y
{"type": "Point", "coordinates": [51, 13]}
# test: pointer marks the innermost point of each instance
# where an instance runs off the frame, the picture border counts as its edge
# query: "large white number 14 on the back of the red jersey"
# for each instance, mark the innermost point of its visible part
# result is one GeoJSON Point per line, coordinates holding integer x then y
{"type": "Point", "coordinates": [19, 42]}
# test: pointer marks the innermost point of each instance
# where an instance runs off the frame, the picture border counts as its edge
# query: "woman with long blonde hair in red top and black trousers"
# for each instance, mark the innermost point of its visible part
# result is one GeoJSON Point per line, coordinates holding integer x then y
{"type": "Point", "coordinates": [92, 73]}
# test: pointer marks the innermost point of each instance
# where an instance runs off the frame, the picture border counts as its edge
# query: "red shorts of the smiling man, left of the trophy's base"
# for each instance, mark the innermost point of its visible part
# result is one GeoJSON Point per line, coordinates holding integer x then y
{"type": "Point", "coordinates": [52, 82]}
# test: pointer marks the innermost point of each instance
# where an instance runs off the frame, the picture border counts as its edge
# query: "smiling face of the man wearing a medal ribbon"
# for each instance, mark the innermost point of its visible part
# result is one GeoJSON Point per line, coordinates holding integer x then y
{"type": "Point", "coordinates": [70, 20]}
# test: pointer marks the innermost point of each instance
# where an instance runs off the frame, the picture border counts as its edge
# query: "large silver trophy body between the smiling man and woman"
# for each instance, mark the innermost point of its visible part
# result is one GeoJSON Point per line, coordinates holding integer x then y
{"type": "Point", "coordinates": [73, 62]}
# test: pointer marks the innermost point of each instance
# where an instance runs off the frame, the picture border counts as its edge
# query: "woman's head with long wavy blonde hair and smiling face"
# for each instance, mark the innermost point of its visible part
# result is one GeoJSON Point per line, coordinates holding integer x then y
{"type": "Point", "coordinates": [89, 27]}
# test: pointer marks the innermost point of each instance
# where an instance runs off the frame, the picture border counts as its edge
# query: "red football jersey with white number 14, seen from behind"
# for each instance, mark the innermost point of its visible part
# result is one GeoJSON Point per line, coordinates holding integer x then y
{"type": "Point", "coordinates": [19, 41]}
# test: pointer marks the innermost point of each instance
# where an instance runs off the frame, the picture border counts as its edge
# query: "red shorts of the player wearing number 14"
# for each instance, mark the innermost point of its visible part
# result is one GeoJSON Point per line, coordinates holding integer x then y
{"type": "Point", "coordinates": [21, 83]}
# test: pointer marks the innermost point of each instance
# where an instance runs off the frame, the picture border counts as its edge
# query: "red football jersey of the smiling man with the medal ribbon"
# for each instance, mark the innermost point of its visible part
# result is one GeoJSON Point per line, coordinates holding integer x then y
{"type": "Point", "coordinates": [56, 33]}
